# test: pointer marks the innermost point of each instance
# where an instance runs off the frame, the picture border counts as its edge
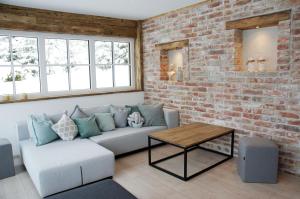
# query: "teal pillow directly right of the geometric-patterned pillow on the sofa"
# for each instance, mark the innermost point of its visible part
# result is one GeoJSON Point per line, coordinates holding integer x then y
{"type": "Point", "coordinates": [87, 127]}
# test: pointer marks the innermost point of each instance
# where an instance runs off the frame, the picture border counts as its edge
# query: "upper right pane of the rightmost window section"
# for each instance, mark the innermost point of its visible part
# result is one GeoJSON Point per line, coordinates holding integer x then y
{"type": "Point", "coordinates": [121, 53]}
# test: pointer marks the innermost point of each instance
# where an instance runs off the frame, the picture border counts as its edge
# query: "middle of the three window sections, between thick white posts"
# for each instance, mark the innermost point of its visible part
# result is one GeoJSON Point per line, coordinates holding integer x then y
{"type": "Point", "coordinates": [67, 64]}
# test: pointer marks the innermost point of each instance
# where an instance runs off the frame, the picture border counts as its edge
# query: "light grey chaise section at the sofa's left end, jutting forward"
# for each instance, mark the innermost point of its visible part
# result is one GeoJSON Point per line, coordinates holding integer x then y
{"type": "Point", "coordinates": [61, 165]}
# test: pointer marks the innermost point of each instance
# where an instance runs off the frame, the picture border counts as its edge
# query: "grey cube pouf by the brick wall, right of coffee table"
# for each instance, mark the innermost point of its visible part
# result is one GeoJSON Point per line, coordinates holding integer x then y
{"type": "Point", "coordinates": [258, 160]}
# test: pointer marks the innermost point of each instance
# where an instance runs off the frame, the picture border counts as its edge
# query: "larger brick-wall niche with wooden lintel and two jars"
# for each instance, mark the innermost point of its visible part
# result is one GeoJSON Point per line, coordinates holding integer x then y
{"type": "Point", "coordinates": [261, 43]}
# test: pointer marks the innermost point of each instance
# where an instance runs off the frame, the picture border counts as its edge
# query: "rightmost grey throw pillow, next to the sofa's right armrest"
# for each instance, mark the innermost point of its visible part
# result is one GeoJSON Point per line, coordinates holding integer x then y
{"type": "Point", "coordinates": [153, 115]}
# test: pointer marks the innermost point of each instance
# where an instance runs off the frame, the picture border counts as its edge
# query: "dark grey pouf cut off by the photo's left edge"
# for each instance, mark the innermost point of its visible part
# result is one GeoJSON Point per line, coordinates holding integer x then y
{"type": "Point", "coordinates": [6, 159]}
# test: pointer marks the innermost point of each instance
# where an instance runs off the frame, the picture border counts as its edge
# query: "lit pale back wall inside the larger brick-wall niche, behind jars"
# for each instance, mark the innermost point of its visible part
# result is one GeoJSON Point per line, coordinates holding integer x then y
{"type": "Point", "coordinates": [261, 42]}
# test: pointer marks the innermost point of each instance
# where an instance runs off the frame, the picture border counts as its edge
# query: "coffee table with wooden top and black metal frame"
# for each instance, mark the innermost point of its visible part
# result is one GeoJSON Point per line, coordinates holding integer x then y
{"type": "Point", "coordinates": [189, 137]}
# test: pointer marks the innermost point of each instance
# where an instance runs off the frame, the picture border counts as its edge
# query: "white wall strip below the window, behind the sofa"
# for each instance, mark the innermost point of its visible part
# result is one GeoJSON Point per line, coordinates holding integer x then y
{"type": "Point", "coordinates": [11, 113]}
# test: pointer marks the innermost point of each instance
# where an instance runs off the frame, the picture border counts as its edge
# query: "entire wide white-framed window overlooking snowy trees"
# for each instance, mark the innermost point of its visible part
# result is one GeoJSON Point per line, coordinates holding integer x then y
{"type": "Point", "coordinates": [41, 64]}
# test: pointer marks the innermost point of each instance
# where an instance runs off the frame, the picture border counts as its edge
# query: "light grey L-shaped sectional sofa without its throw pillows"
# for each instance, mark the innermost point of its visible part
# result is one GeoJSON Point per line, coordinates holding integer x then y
{"type": "Point", "coordinates": [63, 165]}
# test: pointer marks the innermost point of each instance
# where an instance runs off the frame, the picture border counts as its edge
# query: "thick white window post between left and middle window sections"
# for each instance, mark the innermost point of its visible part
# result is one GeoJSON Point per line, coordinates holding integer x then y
{"type": "Point", "coordinates": [42, 65]}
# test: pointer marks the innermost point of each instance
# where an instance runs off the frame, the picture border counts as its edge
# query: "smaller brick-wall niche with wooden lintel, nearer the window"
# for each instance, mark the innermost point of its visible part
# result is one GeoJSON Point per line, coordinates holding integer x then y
{"type": "Point", "coordinates": [174, 60]}
